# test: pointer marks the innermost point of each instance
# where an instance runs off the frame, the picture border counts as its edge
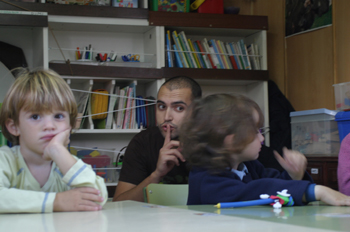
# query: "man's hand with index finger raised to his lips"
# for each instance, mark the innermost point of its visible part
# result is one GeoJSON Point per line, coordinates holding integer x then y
{"type": "Point", "coordinates": [169, 156]}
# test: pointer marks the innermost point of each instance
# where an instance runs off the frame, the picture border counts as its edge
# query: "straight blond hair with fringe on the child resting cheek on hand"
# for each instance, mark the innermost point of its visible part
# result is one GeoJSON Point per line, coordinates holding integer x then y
{"type": "Point", "coordinates": [37, 91]}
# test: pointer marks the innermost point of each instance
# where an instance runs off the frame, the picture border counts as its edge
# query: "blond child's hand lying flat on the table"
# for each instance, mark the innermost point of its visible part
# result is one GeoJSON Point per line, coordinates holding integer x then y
{"type": "Point", "coordinates": [79, 199]}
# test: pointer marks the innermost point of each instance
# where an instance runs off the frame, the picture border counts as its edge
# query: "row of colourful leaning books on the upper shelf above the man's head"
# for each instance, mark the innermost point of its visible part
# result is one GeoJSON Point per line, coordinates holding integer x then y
{"type": "Point", "coordinates": [182, 52]}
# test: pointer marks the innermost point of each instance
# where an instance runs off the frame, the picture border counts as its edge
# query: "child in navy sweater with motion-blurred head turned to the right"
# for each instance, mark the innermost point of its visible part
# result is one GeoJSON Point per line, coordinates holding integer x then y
{"type": "Point", "coordinates": [221, 141]}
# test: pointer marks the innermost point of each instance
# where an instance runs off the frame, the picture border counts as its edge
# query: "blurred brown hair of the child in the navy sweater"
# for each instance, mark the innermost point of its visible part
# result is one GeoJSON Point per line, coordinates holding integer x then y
{"type": "Point", "coordinates": [210, 120]}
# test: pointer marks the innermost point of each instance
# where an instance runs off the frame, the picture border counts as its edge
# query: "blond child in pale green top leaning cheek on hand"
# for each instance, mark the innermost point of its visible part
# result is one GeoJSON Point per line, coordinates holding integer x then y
{"type": "Point", "coordinates": [39, 174]}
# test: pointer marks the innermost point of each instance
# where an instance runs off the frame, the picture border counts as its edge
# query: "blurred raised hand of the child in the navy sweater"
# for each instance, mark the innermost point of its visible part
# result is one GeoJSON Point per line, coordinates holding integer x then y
{"type": "Point", "coordinates": [293, 162]}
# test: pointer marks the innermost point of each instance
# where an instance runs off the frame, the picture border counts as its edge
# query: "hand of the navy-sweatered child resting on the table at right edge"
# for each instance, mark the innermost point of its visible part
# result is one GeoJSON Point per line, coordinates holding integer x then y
{"type": "Point", "coordinates": [330, 196]}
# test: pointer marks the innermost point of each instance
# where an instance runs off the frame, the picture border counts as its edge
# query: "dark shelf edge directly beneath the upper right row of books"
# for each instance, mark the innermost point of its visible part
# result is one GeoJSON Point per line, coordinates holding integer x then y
{"type": "Point", "coordinates": [218, 74]}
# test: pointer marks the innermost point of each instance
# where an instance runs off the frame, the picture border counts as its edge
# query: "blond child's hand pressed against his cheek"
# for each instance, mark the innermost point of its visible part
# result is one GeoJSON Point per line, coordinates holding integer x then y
{"type": "Point", "coordinates": [61, 139]}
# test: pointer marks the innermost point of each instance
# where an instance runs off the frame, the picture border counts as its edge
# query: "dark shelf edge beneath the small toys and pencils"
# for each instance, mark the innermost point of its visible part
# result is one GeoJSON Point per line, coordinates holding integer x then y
{"type": "Point", "coordinates": [106, 71]}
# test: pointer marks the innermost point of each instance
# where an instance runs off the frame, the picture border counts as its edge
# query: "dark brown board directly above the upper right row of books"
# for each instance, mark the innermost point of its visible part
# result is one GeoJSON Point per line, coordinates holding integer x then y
{"type": "Point", "coordinates": [159, 18]}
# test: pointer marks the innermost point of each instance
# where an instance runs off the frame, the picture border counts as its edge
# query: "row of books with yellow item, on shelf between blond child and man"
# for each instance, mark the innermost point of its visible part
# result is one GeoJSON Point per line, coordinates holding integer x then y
{"type": "Point", "coordinates": [114, 108]}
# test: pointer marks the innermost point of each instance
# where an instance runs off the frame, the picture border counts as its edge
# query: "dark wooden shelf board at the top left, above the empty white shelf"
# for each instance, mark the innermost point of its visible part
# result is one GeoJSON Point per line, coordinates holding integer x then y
{"type": "Point", "coordinates": [76, 10]}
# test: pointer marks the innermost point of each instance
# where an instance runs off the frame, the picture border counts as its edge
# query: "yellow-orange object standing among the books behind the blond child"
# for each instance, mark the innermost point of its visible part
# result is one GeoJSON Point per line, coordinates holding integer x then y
{"type": "Point", "coordinates": [99, 103]}
